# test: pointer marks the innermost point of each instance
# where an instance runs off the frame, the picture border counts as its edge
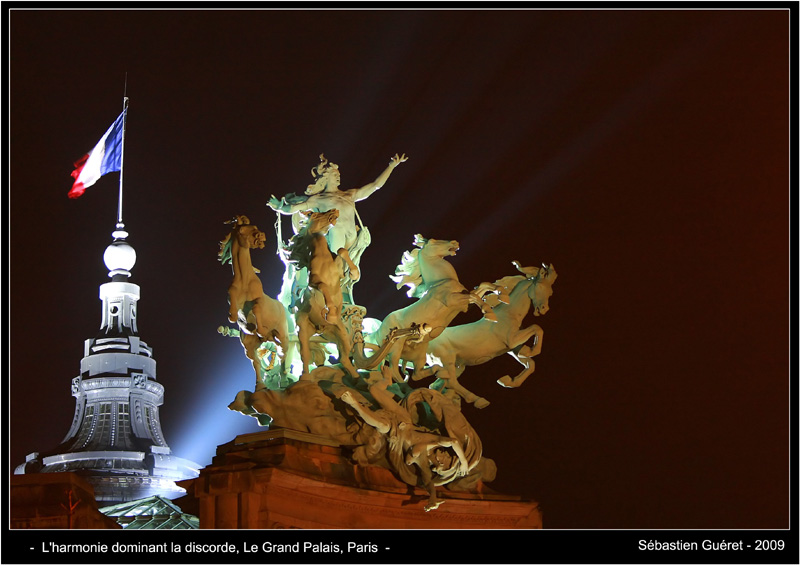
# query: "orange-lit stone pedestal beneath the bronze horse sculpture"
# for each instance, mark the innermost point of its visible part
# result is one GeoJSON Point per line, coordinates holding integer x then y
{"type": "Point", "coordinates": [287, 479]}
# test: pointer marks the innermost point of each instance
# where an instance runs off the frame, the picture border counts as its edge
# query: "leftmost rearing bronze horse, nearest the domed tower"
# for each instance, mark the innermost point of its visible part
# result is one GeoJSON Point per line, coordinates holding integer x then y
{"type": "Point", "coordinates": [260, 317]}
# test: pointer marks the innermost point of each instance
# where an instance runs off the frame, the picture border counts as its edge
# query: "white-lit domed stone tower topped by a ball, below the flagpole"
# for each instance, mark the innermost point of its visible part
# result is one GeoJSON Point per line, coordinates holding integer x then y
{"type": "Point", "coordinates": [115, 440]}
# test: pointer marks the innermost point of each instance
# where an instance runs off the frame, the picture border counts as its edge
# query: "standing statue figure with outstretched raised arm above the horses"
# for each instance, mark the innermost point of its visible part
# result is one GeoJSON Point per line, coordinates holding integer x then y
{"type": "Point", "coordinates": [324, 195]}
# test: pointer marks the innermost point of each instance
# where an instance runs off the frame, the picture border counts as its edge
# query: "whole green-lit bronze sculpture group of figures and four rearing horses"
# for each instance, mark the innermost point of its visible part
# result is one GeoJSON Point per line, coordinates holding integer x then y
{"type": "Point", "coordinates": [353, 384]}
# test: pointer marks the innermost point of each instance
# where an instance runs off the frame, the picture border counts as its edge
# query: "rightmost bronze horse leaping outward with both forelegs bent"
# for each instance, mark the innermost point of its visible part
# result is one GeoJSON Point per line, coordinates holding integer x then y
{"type": "Point", "coordinates": [473, 344]}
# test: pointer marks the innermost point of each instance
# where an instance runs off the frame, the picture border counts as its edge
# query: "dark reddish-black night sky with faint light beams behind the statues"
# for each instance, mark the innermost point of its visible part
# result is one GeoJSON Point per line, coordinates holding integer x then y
{"type": "Point", "coordinates": [644, 153]}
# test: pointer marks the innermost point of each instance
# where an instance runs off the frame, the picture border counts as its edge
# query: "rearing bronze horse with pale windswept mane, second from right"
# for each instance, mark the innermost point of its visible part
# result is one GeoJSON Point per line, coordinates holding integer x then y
{"type": "Point", "coordinates": [432, 279]}
